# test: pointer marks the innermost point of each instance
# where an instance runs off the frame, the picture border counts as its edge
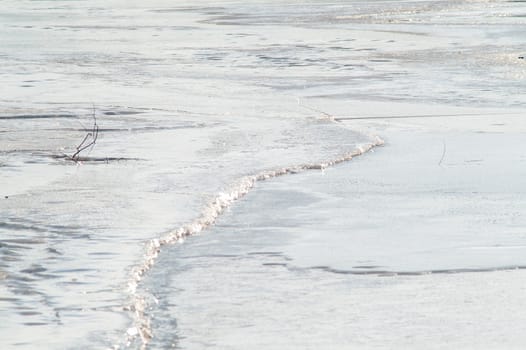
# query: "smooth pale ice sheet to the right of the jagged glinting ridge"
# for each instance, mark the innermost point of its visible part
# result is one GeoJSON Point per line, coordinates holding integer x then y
{"type": "Point", "coordinates": [420, 243]}
